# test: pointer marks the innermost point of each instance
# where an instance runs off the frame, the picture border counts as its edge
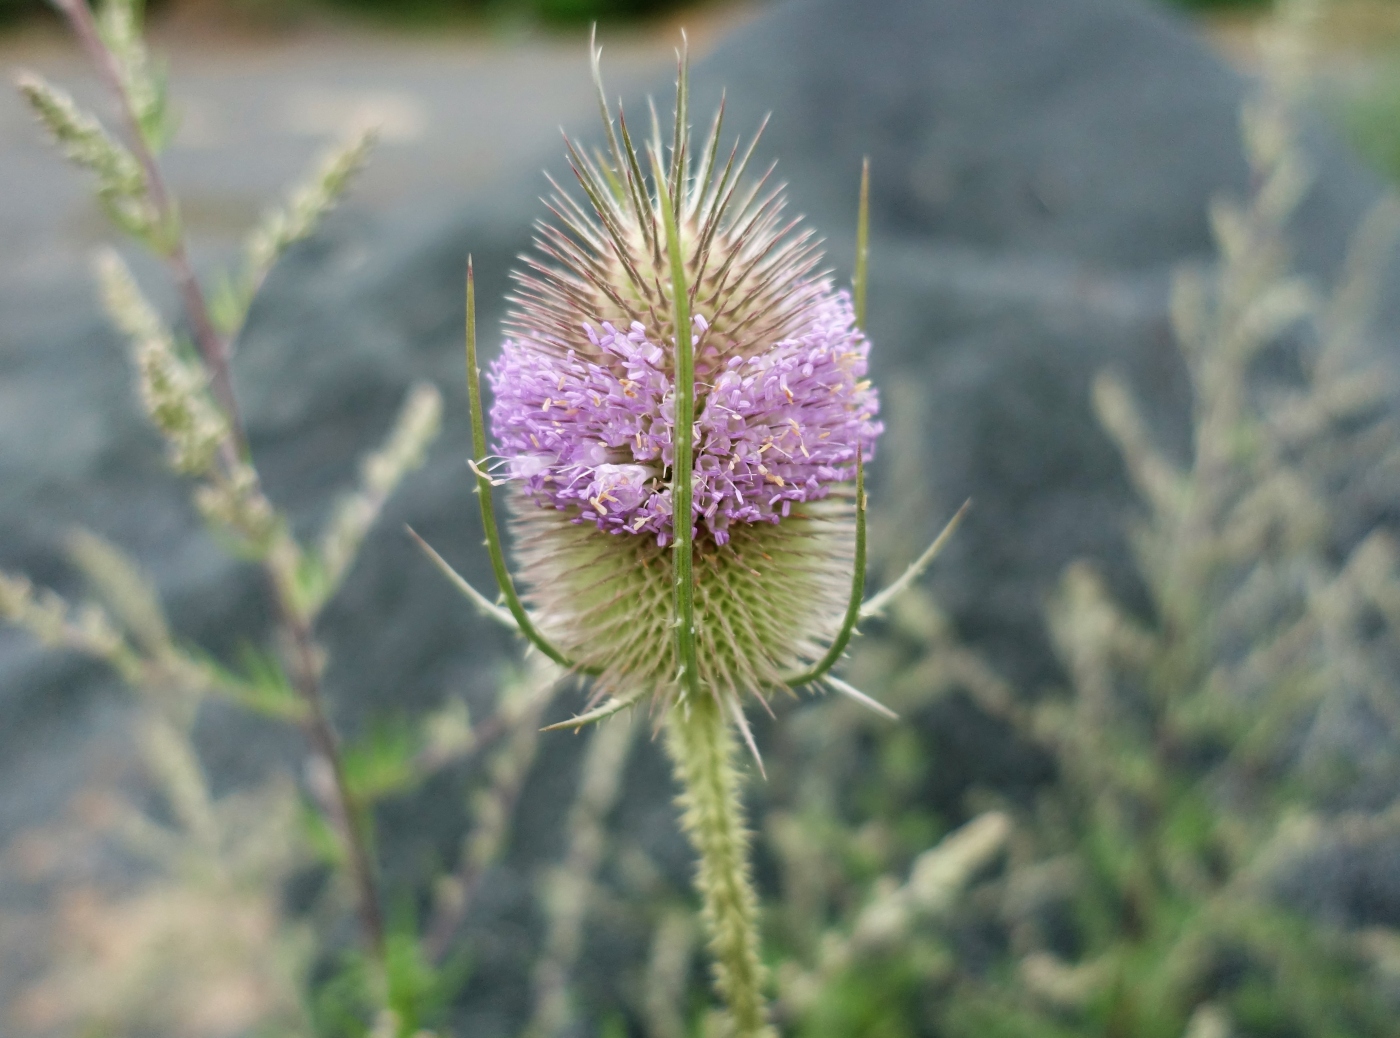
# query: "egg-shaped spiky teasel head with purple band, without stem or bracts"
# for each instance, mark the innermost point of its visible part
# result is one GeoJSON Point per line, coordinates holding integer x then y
{"type": "Point", "coordinates": [584, 420]}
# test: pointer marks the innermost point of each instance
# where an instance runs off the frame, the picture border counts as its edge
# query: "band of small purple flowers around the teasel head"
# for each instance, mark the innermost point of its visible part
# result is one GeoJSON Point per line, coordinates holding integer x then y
{"type": "Point", "coordinates": [589, 429]}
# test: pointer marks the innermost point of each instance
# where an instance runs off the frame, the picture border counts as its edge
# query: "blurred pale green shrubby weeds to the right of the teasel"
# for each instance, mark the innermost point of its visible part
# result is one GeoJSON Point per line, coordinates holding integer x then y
{"type": "Point", "coordinates": [1172, 875]}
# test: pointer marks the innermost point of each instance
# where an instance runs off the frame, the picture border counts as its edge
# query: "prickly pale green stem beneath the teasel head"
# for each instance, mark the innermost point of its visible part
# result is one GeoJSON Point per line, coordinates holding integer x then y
{"type": "Point", "coordinates": [703, 749]}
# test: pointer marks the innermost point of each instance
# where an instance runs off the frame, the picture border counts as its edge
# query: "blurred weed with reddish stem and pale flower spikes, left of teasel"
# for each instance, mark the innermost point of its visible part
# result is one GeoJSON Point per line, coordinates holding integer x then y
{"type": "Point", "coordinates": [187, 389]}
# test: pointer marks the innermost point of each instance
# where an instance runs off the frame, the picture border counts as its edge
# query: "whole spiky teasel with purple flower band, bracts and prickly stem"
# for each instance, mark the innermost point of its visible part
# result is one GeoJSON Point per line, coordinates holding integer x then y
{"type": "Point", "coordinates": [682, 417]}
